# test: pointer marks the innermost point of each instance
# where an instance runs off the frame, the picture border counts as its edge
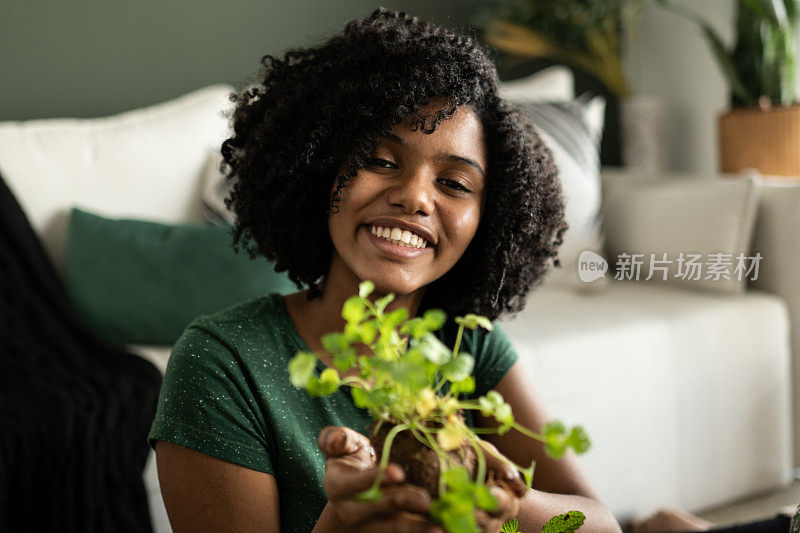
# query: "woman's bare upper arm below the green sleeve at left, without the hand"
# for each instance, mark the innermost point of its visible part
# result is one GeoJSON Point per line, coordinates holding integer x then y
{"type": "Point", "coordinates": [202, 493]}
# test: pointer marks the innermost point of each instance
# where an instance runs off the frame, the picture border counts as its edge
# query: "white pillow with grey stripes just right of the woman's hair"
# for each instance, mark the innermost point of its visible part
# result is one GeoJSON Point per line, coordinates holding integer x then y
{"type": "Point", "coordinates": [572, 130]}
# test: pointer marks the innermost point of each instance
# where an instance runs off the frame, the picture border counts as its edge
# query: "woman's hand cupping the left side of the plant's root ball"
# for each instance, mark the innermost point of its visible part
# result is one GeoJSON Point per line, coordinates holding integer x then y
{"type": "Point", "coordinates": [350, 468]}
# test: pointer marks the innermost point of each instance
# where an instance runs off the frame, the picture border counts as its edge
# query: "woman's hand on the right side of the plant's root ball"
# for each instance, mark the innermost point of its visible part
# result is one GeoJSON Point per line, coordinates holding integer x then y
{"type": "Point", "coordinates": [505, 484]}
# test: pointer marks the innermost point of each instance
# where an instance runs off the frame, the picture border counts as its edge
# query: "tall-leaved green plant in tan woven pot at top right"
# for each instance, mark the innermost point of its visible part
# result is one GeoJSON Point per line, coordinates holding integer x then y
{"type": "Point", "coordinates": [762, 128]}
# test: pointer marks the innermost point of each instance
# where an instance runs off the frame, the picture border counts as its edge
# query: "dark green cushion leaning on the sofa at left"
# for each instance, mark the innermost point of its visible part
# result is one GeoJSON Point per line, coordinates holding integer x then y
{"type": "Point", "coordinates": [140, 282]}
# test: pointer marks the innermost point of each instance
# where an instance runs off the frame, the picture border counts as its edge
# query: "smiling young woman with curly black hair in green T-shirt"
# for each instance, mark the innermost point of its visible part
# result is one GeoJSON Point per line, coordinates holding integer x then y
{"type": "Point", "coordinates": [383, 154]}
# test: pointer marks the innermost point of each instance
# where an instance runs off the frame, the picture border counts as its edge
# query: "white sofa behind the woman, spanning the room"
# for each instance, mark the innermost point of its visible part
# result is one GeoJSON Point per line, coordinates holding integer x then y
{"type": "Point", "coordinates": [685, 393]}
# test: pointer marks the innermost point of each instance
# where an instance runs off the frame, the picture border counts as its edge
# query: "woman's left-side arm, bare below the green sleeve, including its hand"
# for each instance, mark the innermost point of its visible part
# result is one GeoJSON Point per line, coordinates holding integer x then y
{"type": "Point", "coordinates": [202, 493]}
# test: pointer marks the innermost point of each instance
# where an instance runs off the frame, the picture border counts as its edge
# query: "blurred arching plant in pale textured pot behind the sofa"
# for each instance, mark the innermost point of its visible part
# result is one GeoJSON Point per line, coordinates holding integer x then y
{"type": "Point", "coordinates": [587, 35]}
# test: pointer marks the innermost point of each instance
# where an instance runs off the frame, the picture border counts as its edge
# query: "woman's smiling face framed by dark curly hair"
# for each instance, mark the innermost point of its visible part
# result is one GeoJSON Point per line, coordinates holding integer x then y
{"type": "Point", "coordinates": [416, 186]}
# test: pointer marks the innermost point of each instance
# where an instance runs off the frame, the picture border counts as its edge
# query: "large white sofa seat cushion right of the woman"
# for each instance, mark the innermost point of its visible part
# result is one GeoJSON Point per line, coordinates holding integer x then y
{"type": "Point", "coordinates": [684, 394]}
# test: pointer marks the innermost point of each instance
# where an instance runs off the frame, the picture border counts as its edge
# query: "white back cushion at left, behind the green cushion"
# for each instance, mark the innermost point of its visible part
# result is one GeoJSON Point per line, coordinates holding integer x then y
{"type": "Point", "coordinates": [141, 164]}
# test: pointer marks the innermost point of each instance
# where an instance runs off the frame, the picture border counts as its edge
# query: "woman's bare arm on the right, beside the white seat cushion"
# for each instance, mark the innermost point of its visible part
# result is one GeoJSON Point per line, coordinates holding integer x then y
{"type": "Point", "coordinates": [559, 485]}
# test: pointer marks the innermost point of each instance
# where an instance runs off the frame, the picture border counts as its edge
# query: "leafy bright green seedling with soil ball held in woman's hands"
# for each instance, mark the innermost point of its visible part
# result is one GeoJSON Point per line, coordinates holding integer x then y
{"type": "Point", "coordinates": [412, 386]}
